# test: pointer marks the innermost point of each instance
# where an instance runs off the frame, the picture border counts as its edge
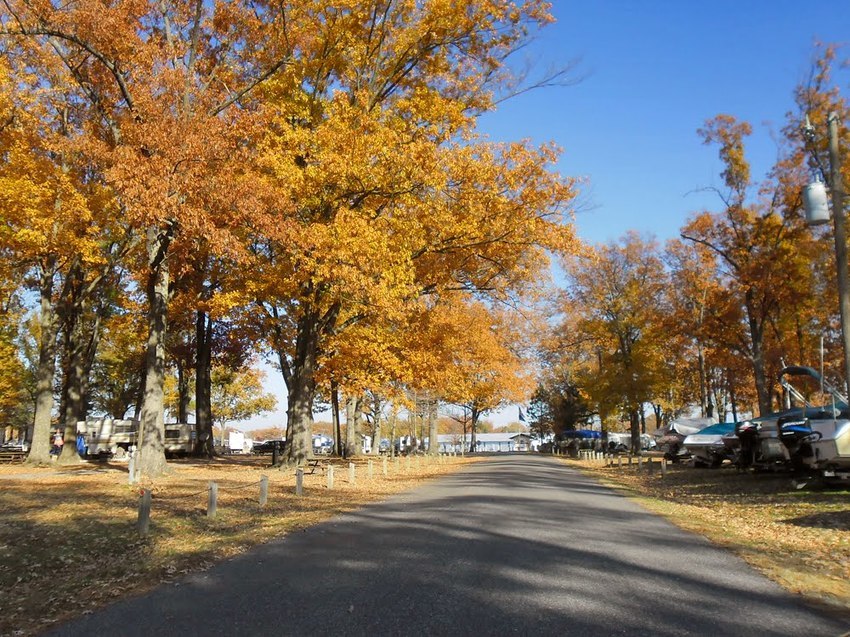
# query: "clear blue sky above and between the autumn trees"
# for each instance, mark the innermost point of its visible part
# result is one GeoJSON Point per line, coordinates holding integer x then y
{"type": "Point", "coordinates": [653, 72]}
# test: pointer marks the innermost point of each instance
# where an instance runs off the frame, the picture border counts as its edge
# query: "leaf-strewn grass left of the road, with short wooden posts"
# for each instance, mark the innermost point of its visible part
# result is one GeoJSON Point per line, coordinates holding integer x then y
{"type": "Point", "coordinates": [69, 543]}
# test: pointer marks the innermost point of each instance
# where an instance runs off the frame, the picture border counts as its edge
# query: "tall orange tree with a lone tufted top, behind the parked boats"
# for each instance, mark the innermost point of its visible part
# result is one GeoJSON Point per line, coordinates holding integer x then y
{"type": "Point", "coordinates": [761, 253]}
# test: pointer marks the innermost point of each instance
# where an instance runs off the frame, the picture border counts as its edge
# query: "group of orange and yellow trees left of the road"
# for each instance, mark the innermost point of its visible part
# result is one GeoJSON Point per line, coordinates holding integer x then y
{"type": "Point", "coordinates": [187, 186]}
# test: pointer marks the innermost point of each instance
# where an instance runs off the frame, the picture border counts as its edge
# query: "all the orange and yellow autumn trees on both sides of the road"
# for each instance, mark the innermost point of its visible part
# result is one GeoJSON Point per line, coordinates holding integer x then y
{"type": "Point", "coordinates": [189, 186]}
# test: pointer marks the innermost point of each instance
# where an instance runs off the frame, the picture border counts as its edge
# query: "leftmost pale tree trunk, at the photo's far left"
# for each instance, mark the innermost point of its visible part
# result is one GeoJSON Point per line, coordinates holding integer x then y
{"type": "Point", "coordinates": [40, 448]}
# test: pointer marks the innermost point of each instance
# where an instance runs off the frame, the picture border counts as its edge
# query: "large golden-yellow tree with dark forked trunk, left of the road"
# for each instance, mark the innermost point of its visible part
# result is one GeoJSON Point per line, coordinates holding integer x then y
{"type": "Point", "coordinates": [383, 190]}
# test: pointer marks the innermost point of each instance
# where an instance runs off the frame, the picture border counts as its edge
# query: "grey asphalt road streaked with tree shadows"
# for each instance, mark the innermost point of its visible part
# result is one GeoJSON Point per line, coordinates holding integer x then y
{"type": "Point", "coordinates": [515, 545]}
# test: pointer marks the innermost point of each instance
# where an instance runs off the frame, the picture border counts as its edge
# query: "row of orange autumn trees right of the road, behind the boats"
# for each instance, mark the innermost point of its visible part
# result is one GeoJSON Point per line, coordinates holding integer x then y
{"type": "Point", "coordinates": [709, 319]}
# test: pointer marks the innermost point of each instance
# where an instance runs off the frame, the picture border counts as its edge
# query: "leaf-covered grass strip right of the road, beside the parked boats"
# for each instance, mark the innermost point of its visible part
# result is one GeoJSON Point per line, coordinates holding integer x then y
{"type": "Point", "coordinates": [798, 538]}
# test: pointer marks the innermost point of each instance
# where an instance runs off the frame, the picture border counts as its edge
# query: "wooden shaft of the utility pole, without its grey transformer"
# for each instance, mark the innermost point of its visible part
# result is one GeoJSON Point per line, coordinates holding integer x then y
{"type": "Point", "coordinates": [838, 219]}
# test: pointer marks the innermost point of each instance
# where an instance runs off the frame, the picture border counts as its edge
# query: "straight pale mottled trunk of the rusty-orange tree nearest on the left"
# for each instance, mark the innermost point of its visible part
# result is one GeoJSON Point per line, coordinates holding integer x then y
{"type": "Point", "coordinates": [151, 462]}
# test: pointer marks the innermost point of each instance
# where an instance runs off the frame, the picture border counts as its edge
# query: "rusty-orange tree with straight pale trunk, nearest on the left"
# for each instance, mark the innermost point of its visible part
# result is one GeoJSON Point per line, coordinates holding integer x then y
{"type": "Point", "coordinates": [170, 88]}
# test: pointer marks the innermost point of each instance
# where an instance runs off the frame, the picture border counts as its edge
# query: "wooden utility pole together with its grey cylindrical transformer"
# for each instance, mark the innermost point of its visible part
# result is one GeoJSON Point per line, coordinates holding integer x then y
{"type": "Point", "coordinates": [814, 200]}
